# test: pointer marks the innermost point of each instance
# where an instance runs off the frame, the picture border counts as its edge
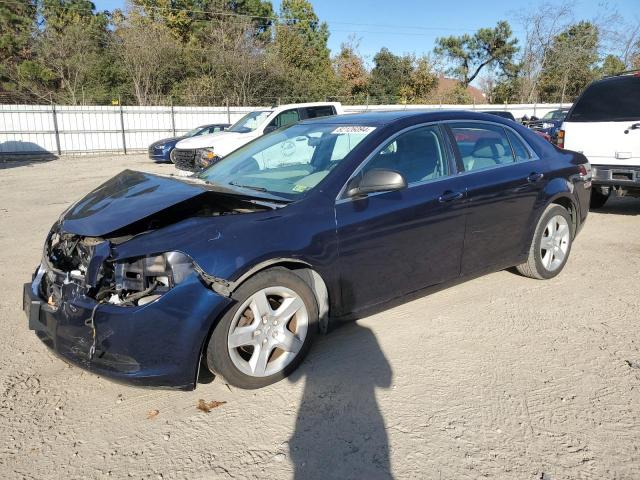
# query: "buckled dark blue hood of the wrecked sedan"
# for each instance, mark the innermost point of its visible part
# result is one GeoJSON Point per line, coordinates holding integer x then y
{"type": "Point", "coordinates": [135, 202]}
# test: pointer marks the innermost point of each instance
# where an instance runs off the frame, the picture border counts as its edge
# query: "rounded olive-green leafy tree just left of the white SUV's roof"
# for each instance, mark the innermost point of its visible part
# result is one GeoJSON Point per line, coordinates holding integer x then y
{"type": "Point", "coordinates": [570, 63]}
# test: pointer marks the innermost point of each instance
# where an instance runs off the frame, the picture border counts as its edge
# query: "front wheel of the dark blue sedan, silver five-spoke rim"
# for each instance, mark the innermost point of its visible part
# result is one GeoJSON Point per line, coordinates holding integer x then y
{"type": "Point", "coordinates": [267, 333]}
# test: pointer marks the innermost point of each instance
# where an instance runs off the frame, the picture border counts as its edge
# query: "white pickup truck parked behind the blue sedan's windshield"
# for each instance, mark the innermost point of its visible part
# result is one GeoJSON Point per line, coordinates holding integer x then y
{"type": "Point", "coordinates": [194, 154]}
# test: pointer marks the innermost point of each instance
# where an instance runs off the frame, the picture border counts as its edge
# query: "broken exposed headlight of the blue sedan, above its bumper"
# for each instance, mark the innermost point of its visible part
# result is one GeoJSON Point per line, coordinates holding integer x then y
{"type": "Point", "coordinates": [141, 280]}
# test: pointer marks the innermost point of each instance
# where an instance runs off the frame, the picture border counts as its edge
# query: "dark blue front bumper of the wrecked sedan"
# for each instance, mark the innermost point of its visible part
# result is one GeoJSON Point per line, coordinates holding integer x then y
{"type": "Point", "coordinates": [158, 344]}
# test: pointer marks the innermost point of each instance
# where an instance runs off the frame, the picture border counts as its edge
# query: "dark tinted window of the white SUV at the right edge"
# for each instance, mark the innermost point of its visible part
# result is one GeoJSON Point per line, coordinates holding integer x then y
{"type": "Point", "coordinates": [611, 100]}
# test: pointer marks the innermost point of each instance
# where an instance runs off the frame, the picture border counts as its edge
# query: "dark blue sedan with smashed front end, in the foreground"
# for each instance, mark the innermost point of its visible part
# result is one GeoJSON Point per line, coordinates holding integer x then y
{"type": "Point", "coordinates": [148, 277]}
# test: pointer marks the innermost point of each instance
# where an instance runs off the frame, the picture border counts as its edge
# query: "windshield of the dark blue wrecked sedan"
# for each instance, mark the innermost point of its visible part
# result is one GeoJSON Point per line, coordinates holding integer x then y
{"type": "Point", "coordinates": [289, 162]}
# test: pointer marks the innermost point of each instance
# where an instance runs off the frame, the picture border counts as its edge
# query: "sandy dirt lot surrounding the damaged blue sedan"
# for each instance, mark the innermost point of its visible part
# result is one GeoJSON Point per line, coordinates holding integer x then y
{"type": "Point", "coordinates": [500, 377]}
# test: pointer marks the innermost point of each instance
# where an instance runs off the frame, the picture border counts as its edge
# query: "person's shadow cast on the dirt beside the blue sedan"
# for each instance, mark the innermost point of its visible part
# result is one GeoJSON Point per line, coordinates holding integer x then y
{"type": "Point", "coordinates": [340, 432]}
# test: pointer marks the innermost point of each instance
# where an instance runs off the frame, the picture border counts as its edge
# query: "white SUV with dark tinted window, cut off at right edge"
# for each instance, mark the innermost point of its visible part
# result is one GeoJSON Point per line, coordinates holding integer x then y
{"type": "Point", "coordinates": [604, 125]}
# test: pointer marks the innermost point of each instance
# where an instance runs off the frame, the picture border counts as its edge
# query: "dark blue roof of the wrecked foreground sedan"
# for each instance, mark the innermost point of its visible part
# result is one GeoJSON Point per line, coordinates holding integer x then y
{"type": "Point", "coordinates": [389, 116]}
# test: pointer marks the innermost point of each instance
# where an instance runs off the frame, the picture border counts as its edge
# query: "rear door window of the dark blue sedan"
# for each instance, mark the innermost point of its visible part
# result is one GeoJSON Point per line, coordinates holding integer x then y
{"type": "Point", "coordinates": [482, 145]}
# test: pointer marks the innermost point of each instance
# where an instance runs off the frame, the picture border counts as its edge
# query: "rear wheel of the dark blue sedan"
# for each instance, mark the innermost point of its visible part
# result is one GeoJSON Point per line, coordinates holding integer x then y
{"type": "Point", "coordinates": [551, 244]}
